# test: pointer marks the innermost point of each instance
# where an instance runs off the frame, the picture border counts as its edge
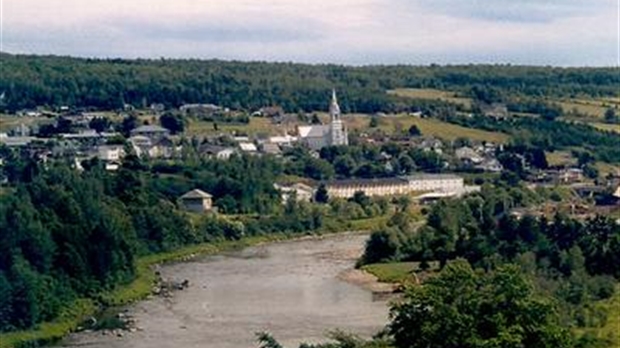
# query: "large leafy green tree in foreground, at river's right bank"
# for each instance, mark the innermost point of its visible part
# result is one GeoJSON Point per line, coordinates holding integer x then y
{"type": "Point", "coordinates": [462, 308]}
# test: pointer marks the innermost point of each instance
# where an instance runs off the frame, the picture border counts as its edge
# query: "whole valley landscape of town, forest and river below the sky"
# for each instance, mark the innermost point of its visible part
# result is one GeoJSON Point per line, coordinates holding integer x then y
{"type": "Point", "coordinates": [180, 203]}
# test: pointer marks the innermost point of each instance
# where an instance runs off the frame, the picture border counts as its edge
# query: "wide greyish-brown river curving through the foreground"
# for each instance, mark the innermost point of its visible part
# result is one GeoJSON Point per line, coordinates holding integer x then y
{"type": "Point", "coordinates": [290, 289]}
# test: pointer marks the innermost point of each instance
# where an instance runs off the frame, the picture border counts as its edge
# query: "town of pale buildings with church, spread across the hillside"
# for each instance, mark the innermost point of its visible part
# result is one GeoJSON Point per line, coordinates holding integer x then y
{"type": "Point", "coordinates": [158, 133]}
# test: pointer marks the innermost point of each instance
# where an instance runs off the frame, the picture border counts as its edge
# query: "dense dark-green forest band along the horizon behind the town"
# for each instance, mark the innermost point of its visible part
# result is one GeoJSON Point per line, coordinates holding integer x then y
{"type": "Point", "coordinates": [30, 81]}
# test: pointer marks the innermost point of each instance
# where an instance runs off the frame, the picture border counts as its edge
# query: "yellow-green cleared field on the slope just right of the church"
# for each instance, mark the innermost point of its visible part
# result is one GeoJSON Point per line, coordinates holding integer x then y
{"type": "Point", "coordinates": [427, 126]}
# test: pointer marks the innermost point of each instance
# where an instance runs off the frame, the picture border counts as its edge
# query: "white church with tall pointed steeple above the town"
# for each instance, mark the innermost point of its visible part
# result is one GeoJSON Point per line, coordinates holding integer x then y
{"type": "Point", "coordinates": [319, 136]}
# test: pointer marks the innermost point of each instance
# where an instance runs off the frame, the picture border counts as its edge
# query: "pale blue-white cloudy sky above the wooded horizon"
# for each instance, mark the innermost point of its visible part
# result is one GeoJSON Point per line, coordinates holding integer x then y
{"type": "Point", "coordinates": [354, 32]}
